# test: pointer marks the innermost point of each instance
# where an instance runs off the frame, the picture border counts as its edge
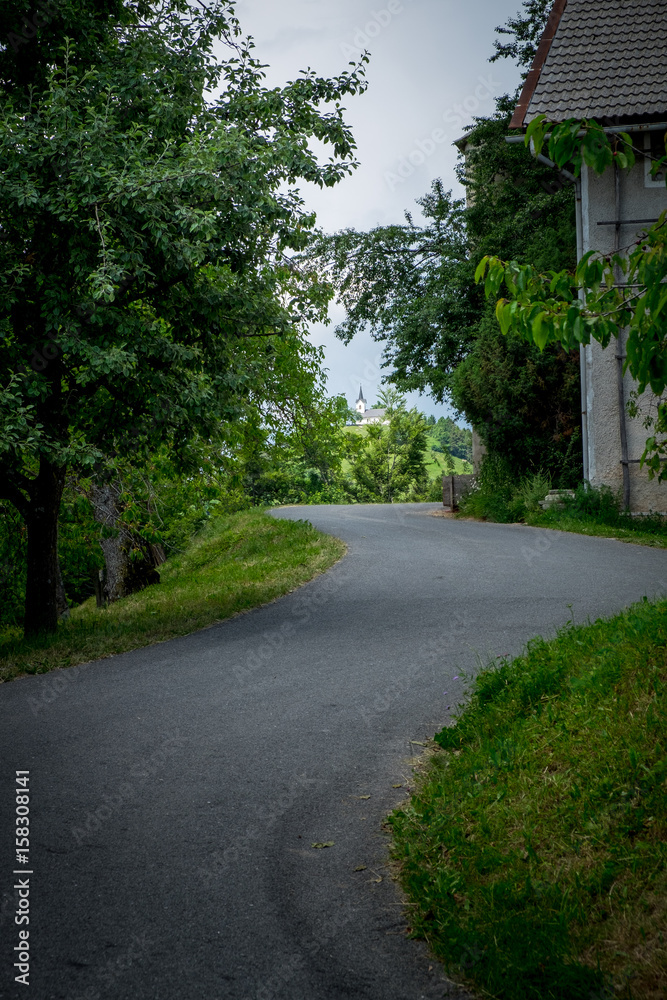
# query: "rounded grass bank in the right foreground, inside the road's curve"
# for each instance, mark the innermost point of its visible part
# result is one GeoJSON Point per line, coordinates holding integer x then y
{"type": "Point", "coordinates": [533, 851]}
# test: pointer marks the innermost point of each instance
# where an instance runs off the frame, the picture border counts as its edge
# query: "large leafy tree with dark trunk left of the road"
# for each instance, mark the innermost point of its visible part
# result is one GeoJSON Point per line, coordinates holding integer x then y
{"type": "Point", "coordinates": [146, 233]}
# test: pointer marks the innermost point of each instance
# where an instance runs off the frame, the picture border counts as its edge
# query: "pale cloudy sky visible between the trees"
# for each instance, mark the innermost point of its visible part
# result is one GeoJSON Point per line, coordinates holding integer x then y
{"type": "Point", "coordinates": [429, 74]}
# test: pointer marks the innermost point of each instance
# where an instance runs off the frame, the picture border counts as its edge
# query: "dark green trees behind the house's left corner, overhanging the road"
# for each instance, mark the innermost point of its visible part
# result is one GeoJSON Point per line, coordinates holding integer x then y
{"type": "Point", "coordinates": [413, 286]}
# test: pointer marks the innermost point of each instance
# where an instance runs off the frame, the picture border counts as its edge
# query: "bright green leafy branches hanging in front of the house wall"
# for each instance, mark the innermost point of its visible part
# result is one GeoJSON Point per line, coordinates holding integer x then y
{"type": "Point", "coordinates": [547, 308]}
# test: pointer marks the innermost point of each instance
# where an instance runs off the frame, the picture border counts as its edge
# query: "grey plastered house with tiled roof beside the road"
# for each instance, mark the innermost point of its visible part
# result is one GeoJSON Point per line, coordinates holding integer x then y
{"type": "Point", "coordinates": [608, 61]}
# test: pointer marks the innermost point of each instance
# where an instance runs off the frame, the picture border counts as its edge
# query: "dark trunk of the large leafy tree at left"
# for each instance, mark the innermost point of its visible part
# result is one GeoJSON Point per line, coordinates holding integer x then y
{"type": "Point", "coordinates": [43, 571]}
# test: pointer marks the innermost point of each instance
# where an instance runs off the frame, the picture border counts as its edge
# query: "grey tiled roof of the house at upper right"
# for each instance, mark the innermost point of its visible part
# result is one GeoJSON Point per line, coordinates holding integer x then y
{"type": "Point", "coordinates": [607, 60]}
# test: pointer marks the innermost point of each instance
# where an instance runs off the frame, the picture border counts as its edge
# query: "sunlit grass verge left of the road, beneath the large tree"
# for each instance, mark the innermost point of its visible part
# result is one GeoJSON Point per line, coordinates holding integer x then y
{"type": "Point", "coordinates": [236, 563]}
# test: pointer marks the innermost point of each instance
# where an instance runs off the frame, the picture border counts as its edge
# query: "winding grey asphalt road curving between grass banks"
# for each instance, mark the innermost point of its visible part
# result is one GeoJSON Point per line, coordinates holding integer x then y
{"type": "Point", "coordinates": [176, 791]}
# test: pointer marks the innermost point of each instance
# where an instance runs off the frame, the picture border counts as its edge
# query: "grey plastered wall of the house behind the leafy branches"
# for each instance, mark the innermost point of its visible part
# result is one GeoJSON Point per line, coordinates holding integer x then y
{"type": "Point", "coordinates": [602, 203]}
